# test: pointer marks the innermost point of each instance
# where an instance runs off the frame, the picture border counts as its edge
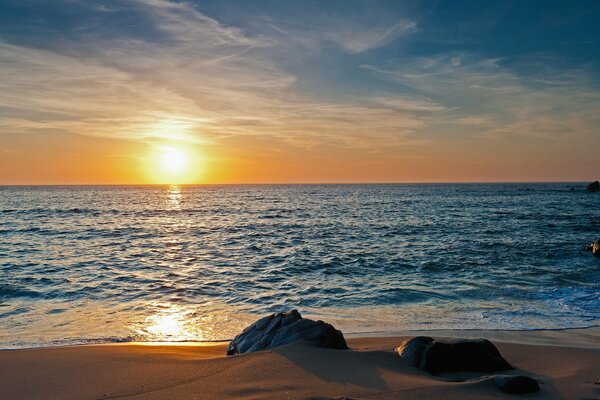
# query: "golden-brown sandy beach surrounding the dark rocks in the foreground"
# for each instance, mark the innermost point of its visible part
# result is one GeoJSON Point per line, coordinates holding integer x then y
{"type": "Point", "coordinates": [565, 363]}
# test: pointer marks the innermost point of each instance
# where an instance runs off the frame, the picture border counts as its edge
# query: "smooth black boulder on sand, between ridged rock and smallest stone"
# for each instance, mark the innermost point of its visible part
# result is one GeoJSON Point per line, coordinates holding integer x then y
{"type": "Point", "coordinates": [436, 356]}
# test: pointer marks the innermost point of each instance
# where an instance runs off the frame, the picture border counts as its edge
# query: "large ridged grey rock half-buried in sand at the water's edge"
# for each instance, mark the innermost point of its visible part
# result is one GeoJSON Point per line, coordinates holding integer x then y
{"type": "Point", "coordinates": [283, 328]}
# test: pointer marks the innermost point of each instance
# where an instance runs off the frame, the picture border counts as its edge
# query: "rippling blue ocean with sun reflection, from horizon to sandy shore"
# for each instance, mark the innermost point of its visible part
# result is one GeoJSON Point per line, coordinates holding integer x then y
{"type": "Point", "coordinates": [89, 264]}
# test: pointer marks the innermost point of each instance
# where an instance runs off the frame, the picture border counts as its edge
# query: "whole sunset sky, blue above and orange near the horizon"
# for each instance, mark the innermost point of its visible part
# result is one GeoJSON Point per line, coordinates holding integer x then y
{"type": "Point", "coordinates": [111, 92]}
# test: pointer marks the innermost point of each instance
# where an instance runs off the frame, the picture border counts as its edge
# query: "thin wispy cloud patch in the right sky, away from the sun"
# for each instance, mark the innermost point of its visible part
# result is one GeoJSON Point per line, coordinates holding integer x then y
{"type": "Point", "coordinates": [497, 96]}
